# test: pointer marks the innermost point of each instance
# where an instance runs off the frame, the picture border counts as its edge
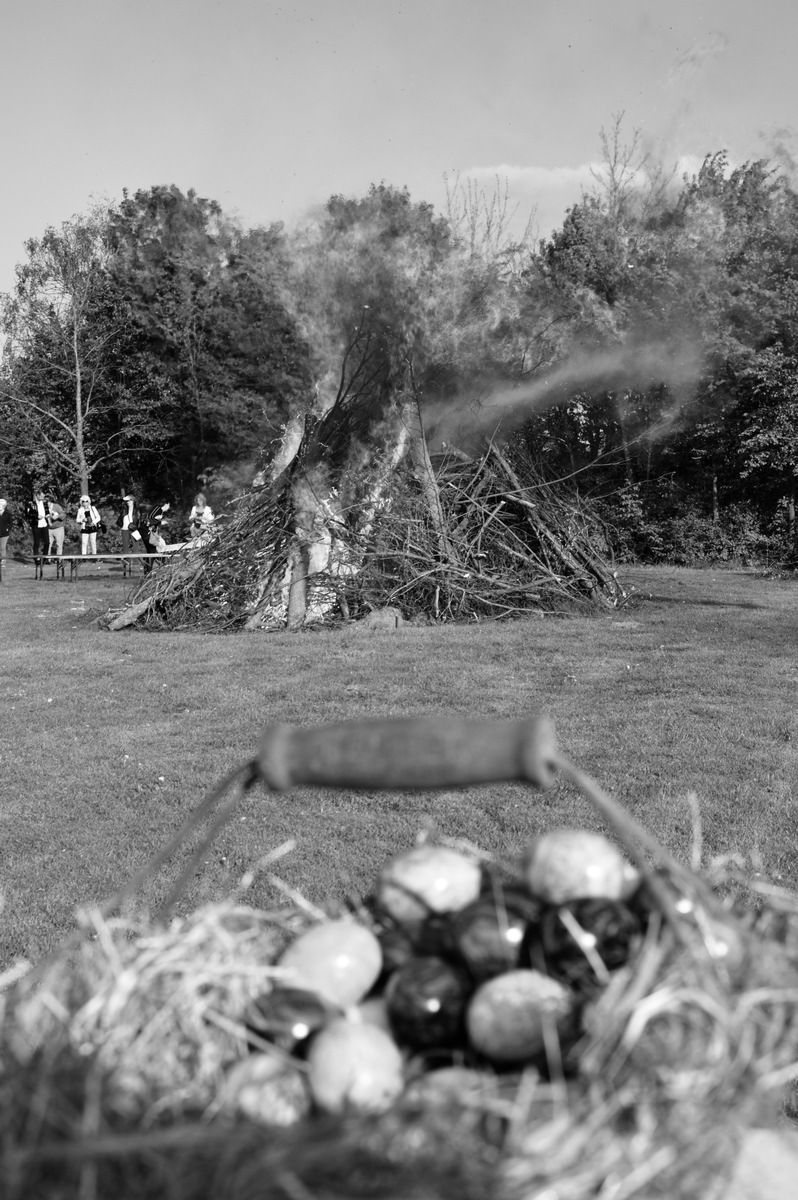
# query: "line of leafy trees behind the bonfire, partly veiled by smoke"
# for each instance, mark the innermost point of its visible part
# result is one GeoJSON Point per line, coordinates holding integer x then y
{"type": "Point", "coordinates": [645, 353]}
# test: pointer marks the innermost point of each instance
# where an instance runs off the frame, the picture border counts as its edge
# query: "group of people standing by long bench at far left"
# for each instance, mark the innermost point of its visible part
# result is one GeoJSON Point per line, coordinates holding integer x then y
{"type": "Point", "coordinates": [141, 530]}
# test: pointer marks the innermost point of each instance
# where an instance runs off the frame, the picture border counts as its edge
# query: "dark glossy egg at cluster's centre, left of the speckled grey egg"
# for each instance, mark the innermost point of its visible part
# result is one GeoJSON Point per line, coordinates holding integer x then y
{"type": "Point", "coordinates": [427, 1003]}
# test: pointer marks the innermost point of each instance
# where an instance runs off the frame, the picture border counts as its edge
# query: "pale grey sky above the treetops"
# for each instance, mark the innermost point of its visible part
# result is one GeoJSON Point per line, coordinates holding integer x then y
{"type": "Point", "coordinates": [269, 109]}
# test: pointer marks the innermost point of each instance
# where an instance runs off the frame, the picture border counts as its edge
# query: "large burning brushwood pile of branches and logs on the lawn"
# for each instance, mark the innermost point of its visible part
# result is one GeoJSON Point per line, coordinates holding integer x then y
{"type": "Point", "coordinates": [497, 541]}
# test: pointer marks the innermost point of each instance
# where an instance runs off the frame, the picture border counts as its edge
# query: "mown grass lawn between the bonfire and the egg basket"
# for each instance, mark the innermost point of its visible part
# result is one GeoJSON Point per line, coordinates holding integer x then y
{"type": "Point", "coordinates": [110, 740]}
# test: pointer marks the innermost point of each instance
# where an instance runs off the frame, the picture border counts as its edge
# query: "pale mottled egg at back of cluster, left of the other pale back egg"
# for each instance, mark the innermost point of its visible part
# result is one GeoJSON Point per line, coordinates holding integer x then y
{"type": "Point", "coordinates": [428, 880]}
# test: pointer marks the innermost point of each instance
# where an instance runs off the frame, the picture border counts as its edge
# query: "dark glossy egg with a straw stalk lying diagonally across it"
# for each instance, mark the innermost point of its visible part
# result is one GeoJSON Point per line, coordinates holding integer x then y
{"type": "Point", "coordinates": [583, 941]}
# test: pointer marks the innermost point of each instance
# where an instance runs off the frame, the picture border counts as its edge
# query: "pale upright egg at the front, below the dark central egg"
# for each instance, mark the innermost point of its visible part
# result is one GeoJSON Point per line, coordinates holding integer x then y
{"type": "Point", "coordinates": [355, 1066]}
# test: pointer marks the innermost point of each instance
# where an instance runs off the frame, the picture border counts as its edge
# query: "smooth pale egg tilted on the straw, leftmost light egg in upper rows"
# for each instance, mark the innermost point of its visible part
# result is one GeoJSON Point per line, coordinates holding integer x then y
{"type": "Point", "coordinates": [338, 959]}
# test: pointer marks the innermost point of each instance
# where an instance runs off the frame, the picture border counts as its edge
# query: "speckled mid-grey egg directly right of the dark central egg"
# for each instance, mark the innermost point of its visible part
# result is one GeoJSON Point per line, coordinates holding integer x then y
{"type": "Point", "coordinates": [511, 1016]}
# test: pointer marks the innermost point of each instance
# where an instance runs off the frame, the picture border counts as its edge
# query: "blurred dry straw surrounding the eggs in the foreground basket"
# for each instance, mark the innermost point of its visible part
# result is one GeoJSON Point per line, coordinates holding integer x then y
{"type": "Point", "coordinates": [115, 1054]}
